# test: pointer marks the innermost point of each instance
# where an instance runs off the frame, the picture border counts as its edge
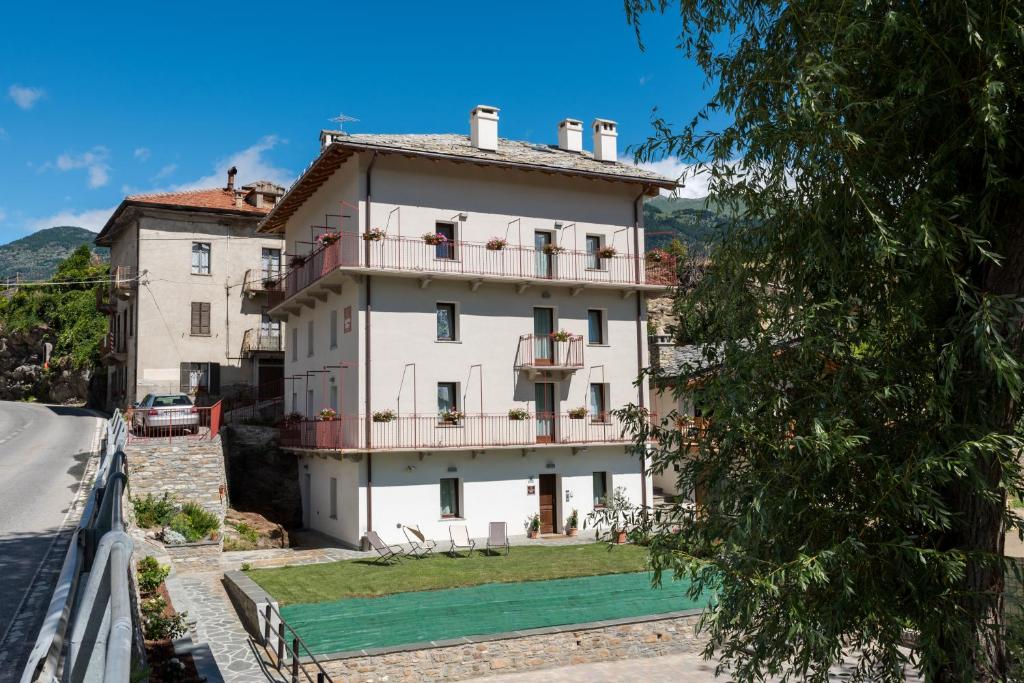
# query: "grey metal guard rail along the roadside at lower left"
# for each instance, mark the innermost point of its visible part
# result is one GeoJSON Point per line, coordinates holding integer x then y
{"type": "Point", "coordinates": [101, 625]}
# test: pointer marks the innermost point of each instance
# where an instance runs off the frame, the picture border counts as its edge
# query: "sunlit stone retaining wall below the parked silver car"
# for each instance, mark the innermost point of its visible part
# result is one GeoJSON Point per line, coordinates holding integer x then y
{"type": "Point", "coordinates": [186, 468]}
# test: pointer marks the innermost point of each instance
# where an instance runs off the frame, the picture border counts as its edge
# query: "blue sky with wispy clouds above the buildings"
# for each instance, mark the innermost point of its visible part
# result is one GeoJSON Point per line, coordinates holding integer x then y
{"type": "Point", "coordinates": [103, 100]}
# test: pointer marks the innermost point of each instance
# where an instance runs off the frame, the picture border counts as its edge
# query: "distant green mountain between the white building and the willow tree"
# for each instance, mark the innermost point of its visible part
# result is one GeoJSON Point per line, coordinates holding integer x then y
{"type": "Point", "coordinates": [696, 223]}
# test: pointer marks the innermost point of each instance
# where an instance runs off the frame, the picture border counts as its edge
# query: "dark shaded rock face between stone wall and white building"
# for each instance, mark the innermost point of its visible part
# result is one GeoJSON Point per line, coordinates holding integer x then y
{"type": "Point", "coordinates": [262, 478]}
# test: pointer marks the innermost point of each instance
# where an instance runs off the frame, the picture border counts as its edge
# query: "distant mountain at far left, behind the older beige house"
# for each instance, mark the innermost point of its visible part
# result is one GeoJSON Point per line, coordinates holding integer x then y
{"type": "Point", "coordinates": [37, 257]}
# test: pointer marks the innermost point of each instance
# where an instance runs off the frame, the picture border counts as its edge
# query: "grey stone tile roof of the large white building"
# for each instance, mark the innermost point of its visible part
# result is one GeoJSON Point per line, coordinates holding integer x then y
{"type": "Point", "coordinates": [510, 152]}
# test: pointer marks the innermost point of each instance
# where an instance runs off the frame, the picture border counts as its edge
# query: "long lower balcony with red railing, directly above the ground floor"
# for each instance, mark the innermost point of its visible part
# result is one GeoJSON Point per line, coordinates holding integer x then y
{"type": "Point", "coordinates": [431, 433]}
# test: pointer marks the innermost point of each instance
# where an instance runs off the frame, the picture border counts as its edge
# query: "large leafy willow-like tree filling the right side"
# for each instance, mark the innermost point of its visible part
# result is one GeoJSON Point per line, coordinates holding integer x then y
{"type": "Point", "coordinates": [864, 318]}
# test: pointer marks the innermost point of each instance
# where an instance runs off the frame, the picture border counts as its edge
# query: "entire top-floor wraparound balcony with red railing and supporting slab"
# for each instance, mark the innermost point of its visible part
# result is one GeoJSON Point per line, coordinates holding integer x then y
{"type": "Point", "coordinates": [353, 253]}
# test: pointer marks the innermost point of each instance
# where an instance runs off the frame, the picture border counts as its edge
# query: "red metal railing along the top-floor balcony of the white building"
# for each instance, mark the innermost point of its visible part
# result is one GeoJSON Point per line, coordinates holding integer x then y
{"type": "Point", "coordinates": [461, 259]}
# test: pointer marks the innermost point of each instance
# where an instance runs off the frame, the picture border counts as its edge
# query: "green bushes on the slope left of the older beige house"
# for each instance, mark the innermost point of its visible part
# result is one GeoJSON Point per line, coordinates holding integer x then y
{"type": "Point", "coordinates": [69, 310]}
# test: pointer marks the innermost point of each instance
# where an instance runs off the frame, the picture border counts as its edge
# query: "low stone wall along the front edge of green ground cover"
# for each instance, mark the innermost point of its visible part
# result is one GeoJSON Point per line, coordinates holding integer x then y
{"type": "Point", "coordinates": [541, 649]}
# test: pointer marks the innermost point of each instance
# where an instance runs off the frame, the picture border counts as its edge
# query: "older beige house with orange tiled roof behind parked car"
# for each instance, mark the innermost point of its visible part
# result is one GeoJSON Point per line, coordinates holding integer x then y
{"type": "Point", "coordinates": [188, 306]}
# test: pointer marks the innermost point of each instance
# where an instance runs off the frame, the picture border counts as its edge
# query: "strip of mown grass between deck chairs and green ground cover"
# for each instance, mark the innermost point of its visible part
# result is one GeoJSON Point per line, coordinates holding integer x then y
{"type": "Point", "coordinates": [325, 583]}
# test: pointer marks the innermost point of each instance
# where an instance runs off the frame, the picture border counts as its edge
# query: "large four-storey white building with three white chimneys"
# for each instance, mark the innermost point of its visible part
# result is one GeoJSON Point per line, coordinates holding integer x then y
{"type": "Point", "coordinates": [423, 345]}
